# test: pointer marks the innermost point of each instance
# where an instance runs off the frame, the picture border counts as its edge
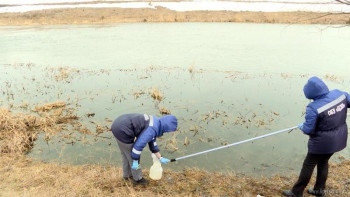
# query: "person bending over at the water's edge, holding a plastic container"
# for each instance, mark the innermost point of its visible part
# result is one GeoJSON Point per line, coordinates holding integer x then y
{"type": "Point", "coordinates": [133, 132]}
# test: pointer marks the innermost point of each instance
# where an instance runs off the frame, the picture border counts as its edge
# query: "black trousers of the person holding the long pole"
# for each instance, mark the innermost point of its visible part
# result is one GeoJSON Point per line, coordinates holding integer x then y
{"type": "Point", "coordinates": [311, 160]}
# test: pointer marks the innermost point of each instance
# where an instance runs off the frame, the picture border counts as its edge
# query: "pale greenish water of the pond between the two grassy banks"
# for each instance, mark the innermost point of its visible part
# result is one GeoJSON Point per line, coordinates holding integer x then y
{"type": "Point", "coordinates": [229, 82]}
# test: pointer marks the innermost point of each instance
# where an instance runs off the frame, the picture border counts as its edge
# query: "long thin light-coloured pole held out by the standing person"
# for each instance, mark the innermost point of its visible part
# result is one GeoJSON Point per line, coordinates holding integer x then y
{"type": "Point", "coordinates": [236, 143]}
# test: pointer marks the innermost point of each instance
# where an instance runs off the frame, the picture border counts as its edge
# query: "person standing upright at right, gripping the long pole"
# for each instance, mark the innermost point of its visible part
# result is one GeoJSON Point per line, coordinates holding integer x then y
{"type": "Point", "coordinates": [325, 123]}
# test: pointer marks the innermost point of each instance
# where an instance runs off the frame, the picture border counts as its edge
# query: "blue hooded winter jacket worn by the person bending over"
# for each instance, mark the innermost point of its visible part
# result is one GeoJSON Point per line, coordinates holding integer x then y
{"type": "Point", "coordinates": [142, 129]}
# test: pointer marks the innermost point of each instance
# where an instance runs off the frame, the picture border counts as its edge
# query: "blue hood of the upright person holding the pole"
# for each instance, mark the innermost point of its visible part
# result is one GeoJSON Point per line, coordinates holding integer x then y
{"type": "Point", "coordinates": [315, 88]}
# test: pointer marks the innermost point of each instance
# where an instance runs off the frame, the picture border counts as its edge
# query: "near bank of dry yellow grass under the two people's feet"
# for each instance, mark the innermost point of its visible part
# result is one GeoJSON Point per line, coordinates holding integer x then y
{"type": "Point", "coordinates": [21, 176]}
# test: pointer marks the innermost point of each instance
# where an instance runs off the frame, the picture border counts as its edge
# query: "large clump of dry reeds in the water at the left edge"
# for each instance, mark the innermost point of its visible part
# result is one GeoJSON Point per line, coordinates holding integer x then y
{"type": "Point", "coordinates": [18, 131]}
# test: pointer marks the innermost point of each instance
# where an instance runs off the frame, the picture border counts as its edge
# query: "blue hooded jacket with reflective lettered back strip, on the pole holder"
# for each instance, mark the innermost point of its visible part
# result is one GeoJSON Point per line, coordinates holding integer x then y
{"type": "Point", "coordinates": [325, 119]}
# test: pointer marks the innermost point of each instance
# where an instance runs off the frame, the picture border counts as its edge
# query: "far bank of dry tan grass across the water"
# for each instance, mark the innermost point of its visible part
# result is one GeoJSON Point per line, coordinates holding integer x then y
{"type": "Point", "coordinates": [161, 14]}
